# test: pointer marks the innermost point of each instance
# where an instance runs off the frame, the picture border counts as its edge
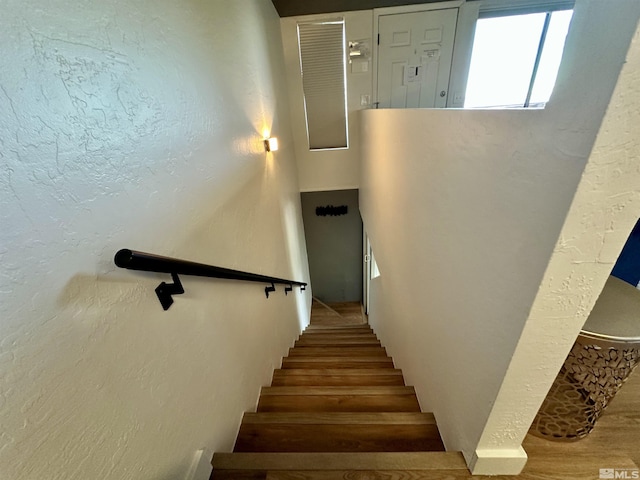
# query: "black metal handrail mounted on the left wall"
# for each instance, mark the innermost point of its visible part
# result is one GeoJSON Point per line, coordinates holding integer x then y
{"type": "Point", "coordinates": [148, 262]}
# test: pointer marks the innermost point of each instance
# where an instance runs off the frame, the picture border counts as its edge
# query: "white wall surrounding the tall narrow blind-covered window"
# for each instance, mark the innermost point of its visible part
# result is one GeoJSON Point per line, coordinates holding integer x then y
{"type": "Point", "coordinates": [327, 169]}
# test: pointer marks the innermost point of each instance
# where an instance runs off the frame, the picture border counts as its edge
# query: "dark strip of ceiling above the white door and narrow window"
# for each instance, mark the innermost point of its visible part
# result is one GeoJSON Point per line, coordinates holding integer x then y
{"type": "Point", "coordinates": [290, 8]}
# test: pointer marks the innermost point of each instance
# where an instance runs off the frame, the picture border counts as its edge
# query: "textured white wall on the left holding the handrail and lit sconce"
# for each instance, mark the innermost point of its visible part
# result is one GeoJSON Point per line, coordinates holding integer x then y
{"type": "Point", "coordinates": [139, 125]}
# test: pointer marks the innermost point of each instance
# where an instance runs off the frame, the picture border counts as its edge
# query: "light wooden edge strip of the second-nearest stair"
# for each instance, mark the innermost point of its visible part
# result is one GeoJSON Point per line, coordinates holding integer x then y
{"type": "Point", "coordinates": [341, 418]}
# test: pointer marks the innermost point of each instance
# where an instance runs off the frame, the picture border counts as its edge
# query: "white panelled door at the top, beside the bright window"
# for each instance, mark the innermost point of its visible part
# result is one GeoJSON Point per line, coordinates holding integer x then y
{"type": "Point", "coordinates": [414, 58]}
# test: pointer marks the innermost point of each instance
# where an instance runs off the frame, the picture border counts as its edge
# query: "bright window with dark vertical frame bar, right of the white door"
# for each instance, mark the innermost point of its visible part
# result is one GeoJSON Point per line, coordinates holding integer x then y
{"type": "Point", "coordinates": [516, 58]}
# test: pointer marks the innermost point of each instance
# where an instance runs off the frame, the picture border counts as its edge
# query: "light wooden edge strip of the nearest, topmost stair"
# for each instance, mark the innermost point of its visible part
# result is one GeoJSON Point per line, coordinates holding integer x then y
{"type": "Point", "coordinates": [340, 461]}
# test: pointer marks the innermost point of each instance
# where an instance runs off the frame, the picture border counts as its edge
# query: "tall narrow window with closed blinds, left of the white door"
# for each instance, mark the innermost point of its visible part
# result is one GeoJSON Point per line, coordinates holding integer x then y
{"type": "Point", "coordinates": [323, 67]}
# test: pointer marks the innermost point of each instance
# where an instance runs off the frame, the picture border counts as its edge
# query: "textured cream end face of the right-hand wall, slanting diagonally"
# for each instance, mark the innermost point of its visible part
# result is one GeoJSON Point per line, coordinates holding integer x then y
{"type": "Point", "coordinates": [603, 212]}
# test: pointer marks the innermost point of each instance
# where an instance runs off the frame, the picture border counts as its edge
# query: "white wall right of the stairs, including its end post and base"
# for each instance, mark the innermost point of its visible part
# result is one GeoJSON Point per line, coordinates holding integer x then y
{"type": "Point", "coordinates": [464, 210]}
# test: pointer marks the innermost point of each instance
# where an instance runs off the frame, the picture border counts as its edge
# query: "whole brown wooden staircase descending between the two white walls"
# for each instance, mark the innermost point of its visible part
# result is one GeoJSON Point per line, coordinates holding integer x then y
{"type": "Point", "coordinates": [338, 409]}
